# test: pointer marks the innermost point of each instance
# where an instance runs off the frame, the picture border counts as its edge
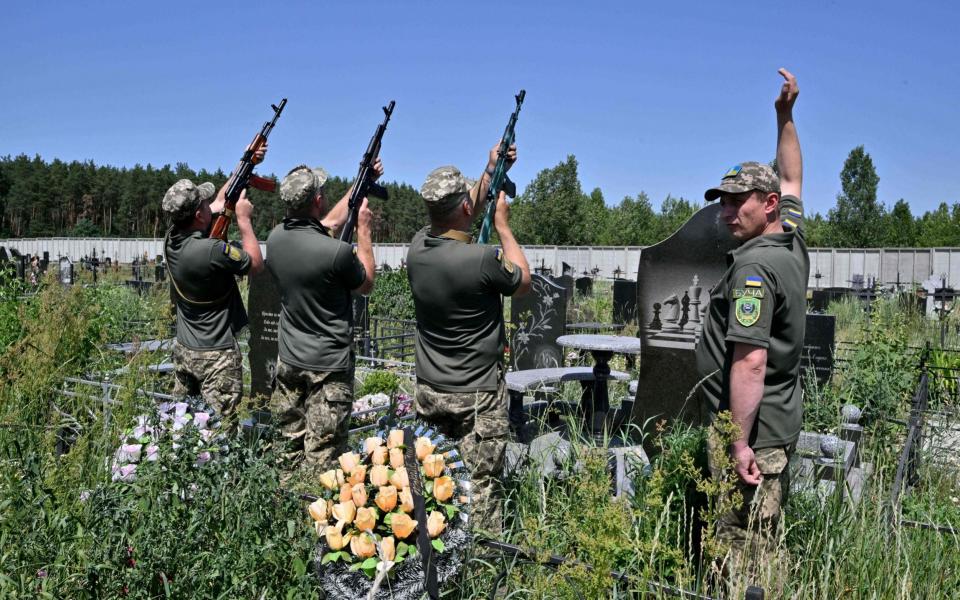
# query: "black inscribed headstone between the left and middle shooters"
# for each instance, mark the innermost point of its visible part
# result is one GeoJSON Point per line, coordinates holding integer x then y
{"type": "Point", "coordinates": [263, 304]}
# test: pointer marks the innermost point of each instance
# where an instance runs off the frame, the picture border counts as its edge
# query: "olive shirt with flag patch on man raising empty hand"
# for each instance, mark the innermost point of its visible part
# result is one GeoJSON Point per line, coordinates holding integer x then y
{"type": "Point", "coordinates": [761, 301]}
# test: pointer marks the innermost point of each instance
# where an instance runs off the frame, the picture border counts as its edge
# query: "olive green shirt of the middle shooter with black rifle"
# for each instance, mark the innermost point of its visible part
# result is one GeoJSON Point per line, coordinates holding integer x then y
{"type": "Point", "coordinates": [315, 274]}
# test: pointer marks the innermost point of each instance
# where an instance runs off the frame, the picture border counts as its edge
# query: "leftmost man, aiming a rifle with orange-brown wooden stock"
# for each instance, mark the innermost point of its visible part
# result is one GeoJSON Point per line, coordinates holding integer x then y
{"type": "Point", "coordinates": [210, 312]}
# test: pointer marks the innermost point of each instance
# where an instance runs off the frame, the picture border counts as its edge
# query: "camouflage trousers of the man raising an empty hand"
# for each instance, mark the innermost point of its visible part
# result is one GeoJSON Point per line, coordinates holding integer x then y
{"type": "Point", "coordinates": [749, 533]}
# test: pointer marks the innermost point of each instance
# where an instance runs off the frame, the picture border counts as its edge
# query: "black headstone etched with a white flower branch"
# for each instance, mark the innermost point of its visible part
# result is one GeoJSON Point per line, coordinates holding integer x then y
{"type": "Point", "coordinates": [538, 319]}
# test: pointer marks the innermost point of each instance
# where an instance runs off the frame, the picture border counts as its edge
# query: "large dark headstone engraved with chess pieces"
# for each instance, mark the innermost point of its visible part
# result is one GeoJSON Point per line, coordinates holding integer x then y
{"type": "Point", "coordinates": [674, 279]}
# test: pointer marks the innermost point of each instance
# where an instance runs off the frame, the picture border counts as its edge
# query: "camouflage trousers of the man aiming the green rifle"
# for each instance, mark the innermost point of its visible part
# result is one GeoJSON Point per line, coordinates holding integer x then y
{"type": "Point", "coordinates": [478, 422]}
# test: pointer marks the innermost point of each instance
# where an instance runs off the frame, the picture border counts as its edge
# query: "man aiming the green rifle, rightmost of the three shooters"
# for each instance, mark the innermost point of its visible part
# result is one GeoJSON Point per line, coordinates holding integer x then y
{"type": "Point", "coordinates": [458, 290]}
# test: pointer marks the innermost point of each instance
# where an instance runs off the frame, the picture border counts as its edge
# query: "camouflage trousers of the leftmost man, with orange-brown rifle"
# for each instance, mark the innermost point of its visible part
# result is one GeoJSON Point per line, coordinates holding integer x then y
{"type": "Point", "coordinates": [214, 375]}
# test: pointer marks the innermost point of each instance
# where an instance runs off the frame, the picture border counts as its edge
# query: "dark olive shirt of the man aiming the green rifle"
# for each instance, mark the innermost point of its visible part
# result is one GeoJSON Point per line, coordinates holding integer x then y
{"type": "Point", "coordinates": [457, 291]}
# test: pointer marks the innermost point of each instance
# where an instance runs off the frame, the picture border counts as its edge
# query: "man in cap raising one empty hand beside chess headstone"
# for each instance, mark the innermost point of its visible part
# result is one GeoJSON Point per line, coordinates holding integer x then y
{"type": "Point", "coordinates": [752, 342]}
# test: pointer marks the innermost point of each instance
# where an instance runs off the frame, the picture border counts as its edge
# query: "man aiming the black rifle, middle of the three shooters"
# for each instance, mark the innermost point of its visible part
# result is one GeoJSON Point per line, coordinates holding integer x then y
{"type": "Point", "coordinates": [316, 273]}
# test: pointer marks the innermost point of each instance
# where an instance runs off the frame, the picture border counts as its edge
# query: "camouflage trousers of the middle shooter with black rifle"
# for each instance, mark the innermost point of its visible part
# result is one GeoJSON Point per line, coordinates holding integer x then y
{"type": "Point", "coordinates": [311, 409]}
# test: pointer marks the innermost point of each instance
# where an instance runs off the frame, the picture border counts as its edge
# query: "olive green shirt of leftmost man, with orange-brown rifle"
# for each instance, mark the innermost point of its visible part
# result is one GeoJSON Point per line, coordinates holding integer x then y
{"type": "Point", "coordinates": [209, 308]}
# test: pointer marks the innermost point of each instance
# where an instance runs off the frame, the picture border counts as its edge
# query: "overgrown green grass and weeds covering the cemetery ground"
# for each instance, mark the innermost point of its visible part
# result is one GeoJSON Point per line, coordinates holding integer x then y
{"type": "Point", "coordinates": [226, 529]}
